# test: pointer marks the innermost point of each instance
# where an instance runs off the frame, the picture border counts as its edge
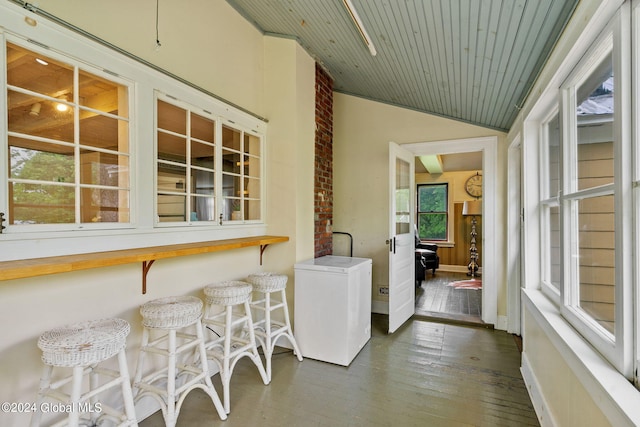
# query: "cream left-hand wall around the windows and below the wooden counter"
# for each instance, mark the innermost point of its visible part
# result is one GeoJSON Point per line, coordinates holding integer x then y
{"type": "Point", "coordinates": [227, 56]}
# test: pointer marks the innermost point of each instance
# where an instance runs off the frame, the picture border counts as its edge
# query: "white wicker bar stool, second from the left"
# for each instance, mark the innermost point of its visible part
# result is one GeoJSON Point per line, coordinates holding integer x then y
{"type": "Point", "coordinates": [168, 320]}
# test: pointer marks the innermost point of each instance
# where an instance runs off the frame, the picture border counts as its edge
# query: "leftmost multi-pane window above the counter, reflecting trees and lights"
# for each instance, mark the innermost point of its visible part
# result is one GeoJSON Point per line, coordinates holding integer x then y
{"type": "Point", "coordinates": [68, 143]}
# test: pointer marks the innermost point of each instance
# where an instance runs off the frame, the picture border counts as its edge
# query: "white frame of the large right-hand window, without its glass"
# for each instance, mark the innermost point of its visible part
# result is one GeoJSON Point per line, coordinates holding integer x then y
{"type": "Point", "coordinates": [617, 350]}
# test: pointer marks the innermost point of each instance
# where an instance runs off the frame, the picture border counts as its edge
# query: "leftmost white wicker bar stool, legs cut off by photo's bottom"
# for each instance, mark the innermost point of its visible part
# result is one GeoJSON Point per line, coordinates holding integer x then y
{"type": "Point", "coordinates": [82, 347]}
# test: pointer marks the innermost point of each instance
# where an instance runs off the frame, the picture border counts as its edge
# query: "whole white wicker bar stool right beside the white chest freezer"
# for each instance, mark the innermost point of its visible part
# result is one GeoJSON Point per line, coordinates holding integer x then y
{"type": "Point", "coordinates": [268, 330]}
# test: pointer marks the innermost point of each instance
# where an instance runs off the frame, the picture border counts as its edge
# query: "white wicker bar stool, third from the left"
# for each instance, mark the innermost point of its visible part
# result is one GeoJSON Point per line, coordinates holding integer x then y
{"type": "Point", "coordinates": [233, 334]}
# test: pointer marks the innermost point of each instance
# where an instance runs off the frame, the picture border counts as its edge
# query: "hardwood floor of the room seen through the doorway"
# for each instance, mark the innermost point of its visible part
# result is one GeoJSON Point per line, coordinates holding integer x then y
{"type": "Point", "coordinates": [436, 300]}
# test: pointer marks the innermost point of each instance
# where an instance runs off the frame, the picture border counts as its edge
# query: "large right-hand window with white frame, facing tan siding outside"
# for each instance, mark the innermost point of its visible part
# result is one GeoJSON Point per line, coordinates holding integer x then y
{"type": "Point", "coordinates": [594, 196]}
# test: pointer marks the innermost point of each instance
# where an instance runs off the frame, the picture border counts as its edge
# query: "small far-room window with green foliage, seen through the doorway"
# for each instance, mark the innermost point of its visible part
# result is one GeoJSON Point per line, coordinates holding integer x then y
{"type": "Point", "coordinates": [433, 203]}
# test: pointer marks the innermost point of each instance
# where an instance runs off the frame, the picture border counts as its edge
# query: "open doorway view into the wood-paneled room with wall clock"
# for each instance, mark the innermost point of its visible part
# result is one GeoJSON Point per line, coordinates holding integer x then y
{"type": "Point", "coordinates": [449, 221]}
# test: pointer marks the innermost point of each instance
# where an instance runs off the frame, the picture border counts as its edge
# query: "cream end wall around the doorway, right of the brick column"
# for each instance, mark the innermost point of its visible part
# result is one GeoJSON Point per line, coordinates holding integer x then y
{"type": "Point", "coordinates": [362, 132]}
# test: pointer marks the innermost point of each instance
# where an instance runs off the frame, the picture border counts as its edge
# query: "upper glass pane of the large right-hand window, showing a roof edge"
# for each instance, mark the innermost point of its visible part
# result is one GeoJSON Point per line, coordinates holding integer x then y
{"type": "Point", "coordinates": [595, 127]}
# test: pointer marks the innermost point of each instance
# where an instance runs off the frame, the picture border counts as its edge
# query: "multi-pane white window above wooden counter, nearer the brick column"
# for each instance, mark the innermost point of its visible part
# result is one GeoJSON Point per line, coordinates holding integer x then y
{"type": "Point", "coordinates": [209, 169]}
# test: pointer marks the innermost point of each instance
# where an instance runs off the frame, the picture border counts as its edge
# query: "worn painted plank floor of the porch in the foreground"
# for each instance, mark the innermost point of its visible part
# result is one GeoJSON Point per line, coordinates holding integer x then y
{"type": "Point", "coordinates": [425, 374]}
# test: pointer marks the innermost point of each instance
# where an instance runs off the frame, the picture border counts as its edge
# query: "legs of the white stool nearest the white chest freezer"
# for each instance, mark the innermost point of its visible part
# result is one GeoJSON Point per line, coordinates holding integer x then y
{"type": "Point", "coordinates": [268, 332]}
